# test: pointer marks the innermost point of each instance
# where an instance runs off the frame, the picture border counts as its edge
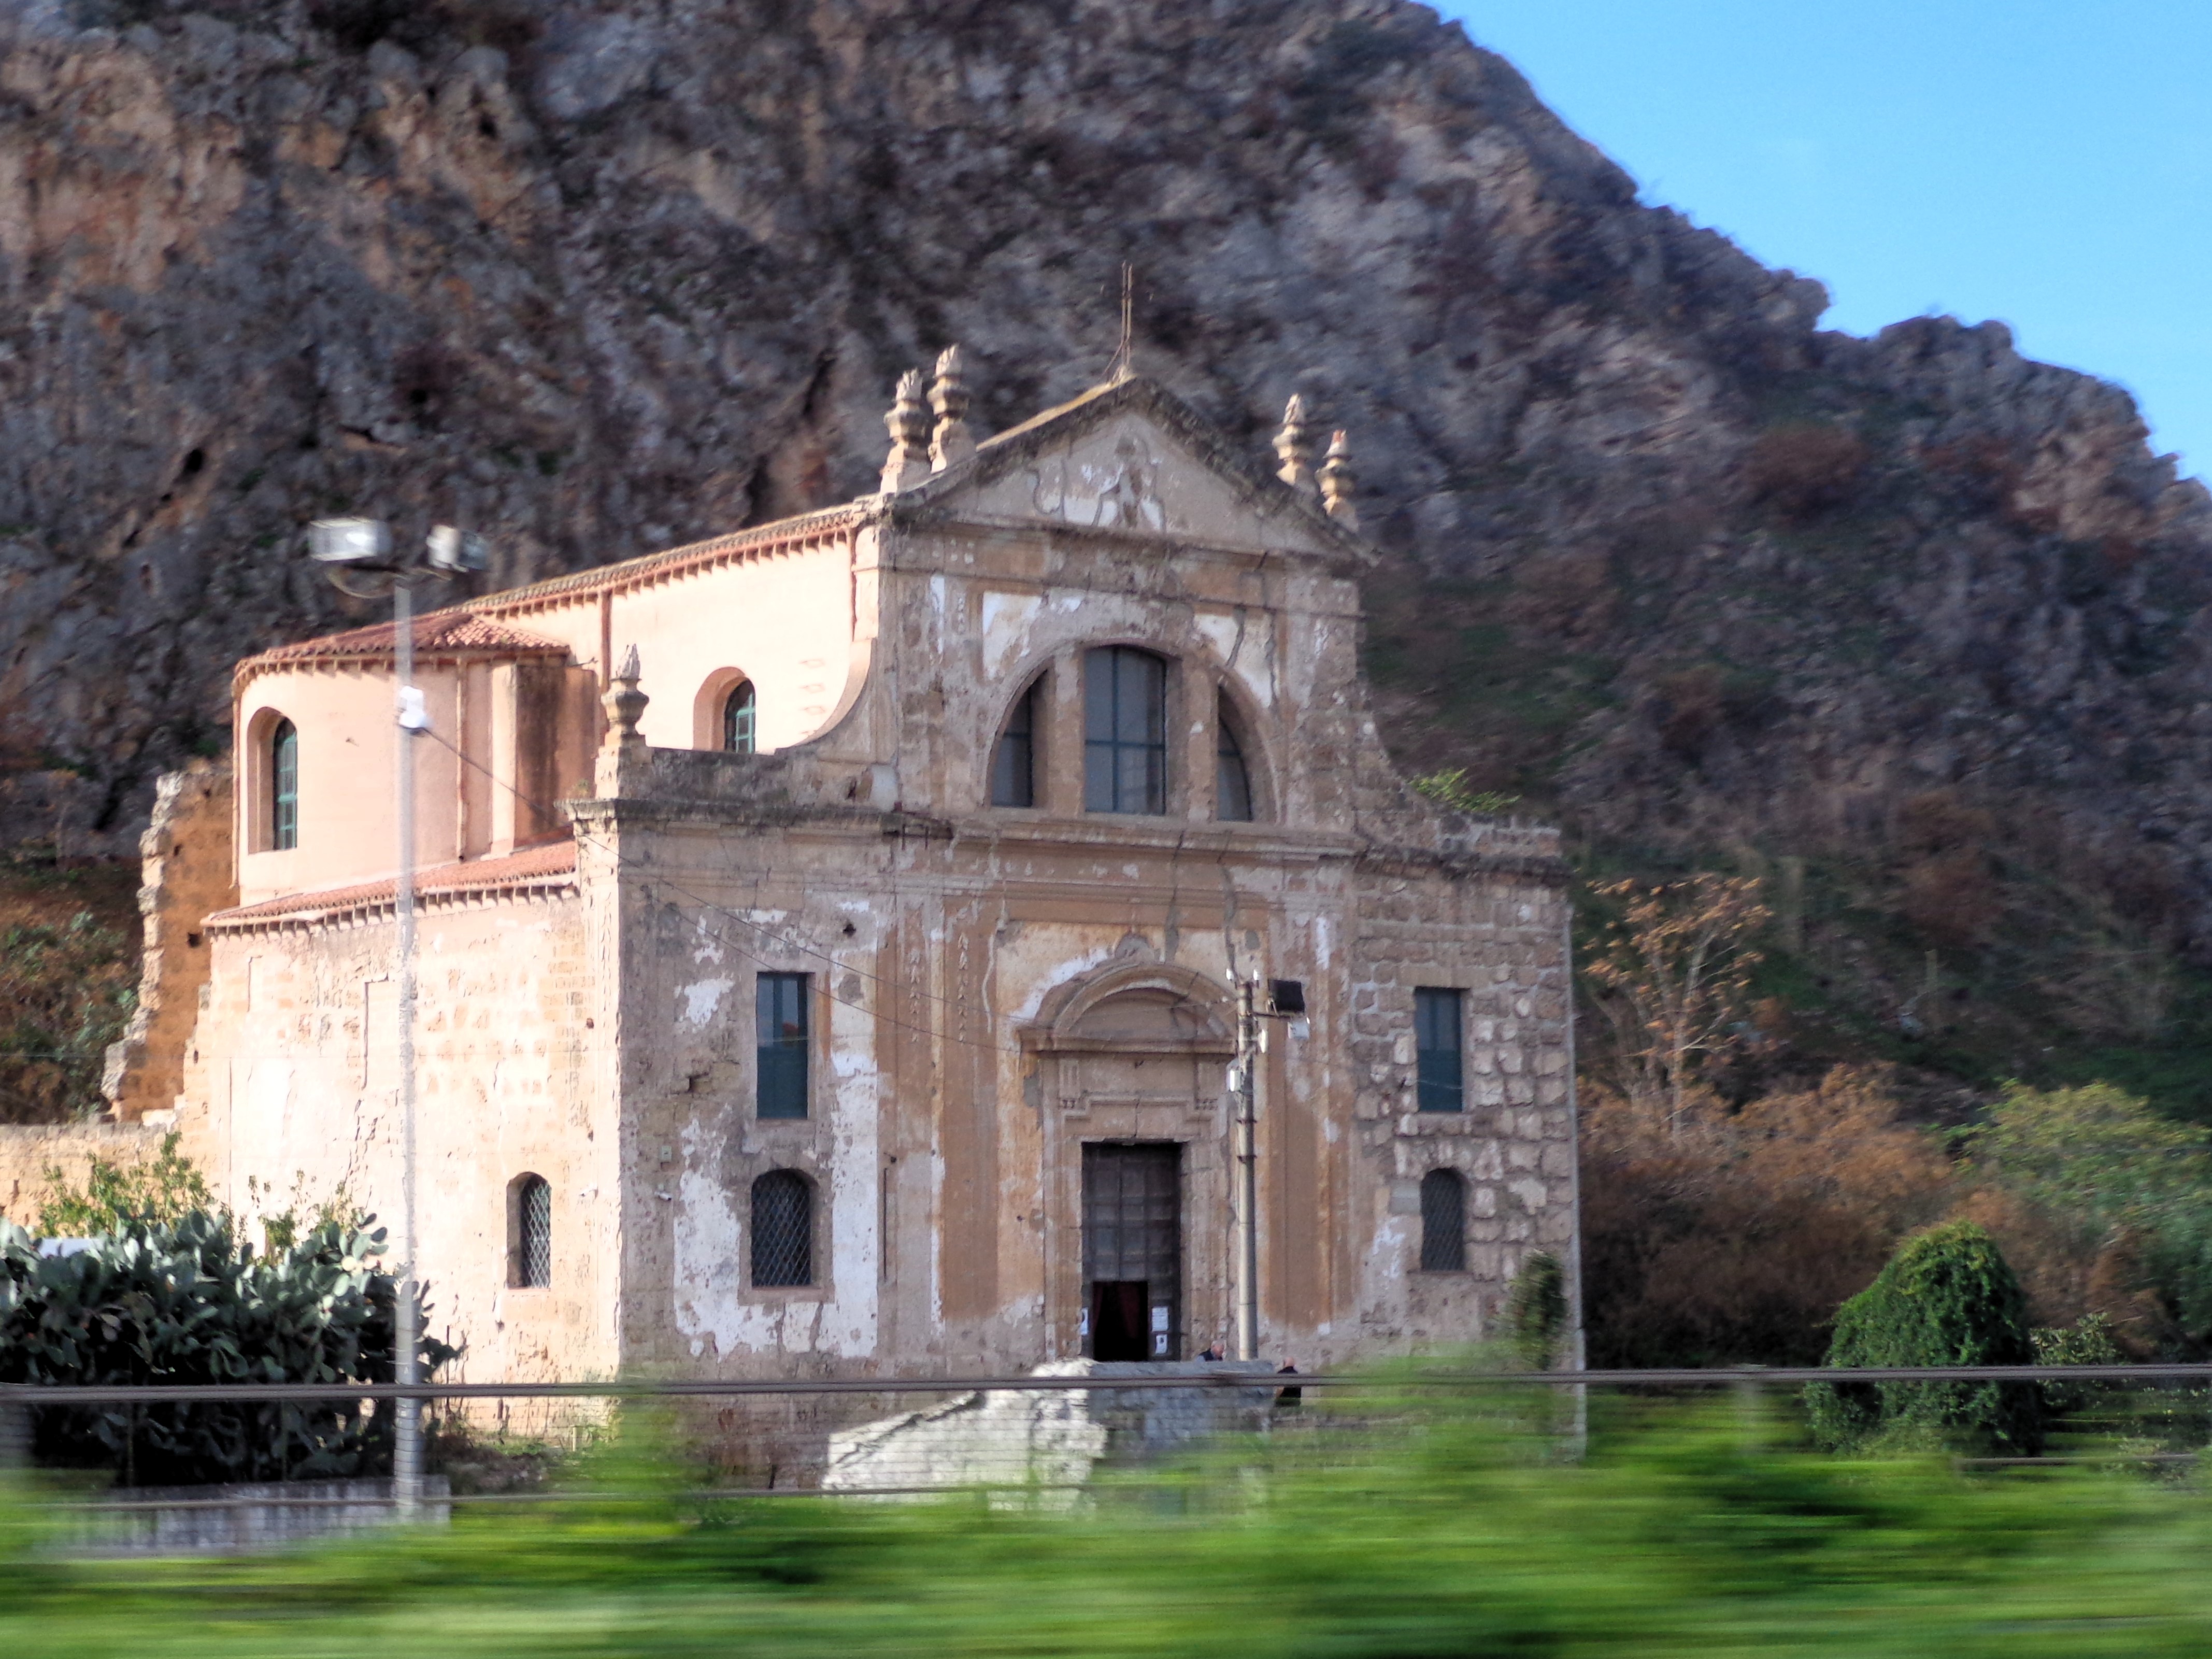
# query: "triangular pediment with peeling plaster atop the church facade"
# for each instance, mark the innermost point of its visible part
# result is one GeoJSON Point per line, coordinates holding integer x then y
{"type": "Point", "coordinates": [1136, 461]}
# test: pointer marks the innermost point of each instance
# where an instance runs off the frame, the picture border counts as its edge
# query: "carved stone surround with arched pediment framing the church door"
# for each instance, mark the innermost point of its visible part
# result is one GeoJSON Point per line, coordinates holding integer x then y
{"type": "Point", "coordinates": [1136, 1052]}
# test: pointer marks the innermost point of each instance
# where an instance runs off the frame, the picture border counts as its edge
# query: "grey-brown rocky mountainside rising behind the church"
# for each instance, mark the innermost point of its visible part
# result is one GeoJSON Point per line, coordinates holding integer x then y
{"type": "Point", "coordinates": [1914, 616]}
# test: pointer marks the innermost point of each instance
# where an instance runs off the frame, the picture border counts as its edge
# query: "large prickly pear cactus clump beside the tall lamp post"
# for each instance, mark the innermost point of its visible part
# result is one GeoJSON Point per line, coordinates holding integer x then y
{"type": "Point", "coordinates": [189, 1302]}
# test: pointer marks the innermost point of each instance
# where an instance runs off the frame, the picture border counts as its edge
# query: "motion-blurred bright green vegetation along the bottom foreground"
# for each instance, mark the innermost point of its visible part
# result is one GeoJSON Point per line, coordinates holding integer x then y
{"type": "Point", "coordinates": [1377, 1525]}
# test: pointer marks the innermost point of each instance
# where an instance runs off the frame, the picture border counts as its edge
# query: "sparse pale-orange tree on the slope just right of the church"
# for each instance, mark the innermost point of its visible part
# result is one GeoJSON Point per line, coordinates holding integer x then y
{"type": "Point", "coordinates": [1673, 977]}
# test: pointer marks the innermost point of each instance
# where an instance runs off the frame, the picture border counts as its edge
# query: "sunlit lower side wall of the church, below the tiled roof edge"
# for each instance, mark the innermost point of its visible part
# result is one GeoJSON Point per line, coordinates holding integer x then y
{"type": "Point", "coordinates": [295, 1096]}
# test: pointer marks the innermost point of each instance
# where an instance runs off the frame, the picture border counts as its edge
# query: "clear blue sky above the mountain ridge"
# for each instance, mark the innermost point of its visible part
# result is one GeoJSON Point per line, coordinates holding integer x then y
{"type": "Point", "coordinates": [2032, 160]}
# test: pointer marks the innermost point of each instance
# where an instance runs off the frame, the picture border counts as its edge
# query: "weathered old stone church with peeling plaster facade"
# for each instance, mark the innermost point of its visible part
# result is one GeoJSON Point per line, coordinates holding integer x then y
{"type": "Point", "coordinates": [831, 937]}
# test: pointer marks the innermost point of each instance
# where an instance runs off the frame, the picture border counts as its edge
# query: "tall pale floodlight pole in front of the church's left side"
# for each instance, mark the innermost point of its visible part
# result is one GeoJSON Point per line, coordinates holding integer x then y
{"type": "Point", "coordinates": [359, 561]}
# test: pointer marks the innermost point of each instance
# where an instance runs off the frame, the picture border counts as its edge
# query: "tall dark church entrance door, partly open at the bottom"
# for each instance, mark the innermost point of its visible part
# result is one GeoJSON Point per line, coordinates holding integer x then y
{"type": "Point", "coordinates": [1134, 1251]}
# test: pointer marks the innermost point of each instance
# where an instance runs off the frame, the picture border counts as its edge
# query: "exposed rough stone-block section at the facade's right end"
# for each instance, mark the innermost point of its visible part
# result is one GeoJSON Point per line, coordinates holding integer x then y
{"type": "Point", "coordinates": [1501, 939]}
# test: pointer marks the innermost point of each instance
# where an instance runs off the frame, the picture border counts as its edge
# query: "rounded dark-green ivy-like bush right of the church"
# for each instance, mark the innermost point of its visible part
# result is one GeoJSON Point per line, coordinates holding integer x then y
{"type": "Point", "coordinates": [1945, 1300]}
